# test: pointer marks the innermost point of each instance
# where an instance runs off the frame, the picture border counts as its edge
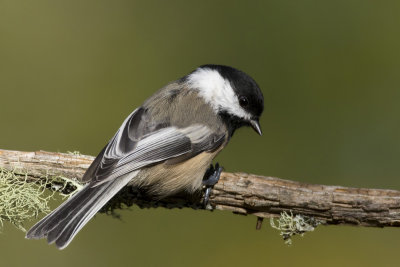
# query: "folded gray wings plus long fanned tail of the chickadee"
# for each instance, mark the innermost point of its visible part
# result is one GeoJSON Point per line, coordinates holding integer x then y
{"type": "Point", "coordinates": [139, 142]}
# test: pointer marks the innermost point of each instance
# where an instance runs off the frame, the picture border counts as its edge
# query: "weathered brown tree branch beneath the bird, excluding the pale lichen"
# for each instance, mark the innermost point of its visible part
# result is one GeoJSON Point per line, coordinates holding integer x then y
{"type": "Point", "coordinates": [238, 192]}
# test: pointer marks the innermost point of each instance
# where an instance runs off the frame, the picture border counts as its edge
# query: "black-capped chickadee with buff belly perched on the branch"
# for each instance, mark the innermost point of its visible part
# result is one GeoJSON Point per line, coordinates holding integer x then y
{"type": "Point", "coordinates": [165, 146]}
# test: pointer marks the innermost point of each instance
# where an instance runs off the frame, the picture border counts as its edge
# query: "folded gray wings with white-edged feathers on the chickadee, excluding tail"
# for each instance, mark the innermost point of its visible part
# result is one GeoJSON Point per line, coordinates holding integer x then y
{"type": "Point", "coordinates": [141, 142]}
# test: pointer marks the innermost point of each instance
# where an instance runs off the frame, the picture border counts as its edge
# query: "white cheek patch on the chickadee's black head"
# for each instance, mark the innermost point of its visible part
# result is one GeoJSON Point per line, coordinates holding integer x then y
{"type": "Point", "coordinates": [217, 92]}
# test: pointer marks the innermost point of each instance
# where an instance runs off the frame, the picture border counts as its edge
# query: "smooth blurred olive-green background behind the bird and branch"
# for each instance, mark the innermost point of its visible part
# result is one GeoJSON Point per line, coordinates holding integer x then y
{"type": "Point", "coordinates": [70, 71]}
